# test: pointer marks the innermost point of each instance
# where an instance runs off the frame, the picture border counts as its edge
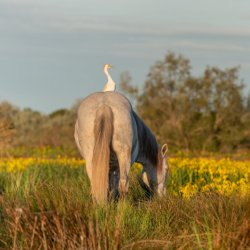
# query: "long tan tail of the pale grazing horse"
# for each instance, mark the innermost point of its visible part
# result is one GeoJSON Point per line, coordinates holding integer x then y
{"type": "Point", "coordinates": [103, 130]}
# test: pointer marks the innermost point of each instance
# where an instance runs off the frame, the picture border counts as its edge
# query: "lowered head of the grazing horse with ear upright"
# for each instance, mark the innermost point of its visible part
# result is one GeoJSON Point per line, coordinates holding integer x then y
{"type": "Point", "coordinates": [162, 170]}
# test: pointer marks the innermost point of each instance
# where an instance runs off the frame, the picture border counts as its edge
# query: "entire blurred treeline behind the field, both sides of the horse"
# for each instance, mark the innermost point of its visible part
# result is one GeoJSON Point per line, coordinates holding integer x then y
{"type": "Point", "coordinates": [205, 113]}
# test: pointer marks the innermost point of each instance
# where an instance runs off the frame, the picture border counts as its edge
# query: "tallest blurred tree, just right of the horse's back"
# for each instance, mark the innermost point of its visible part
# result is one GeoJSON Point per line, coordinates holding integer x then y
{"type": "Point", "coordinates": [161, 105]}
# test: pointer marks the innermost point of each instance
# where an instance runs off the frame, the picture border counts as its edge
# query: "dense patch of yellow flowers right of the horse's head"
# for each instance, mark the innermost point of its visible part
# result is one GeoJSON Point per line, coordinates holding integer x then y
{"type": "Point", "coordinates": [224, 176]}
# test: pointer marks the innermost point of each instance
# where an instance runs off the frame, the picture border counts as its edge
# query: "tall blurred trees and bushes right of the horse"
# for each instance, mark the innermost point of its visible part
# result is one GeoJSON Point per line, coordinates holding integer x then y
{"type": "Point", "coordinates": [206, 113]}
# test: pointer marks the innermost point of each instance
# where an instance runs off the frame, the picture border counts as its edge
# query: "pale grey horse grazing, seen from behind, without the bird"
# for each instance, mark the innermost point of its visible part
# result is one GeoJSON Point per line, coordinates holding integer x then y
{"type": "Point", "coordinates": [111, 137]}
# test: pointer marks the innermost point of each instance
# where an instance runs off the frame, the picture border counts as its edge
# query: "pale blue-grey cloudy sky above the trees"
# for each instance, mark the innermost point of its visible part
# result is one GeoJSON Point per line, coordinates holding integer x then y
{"type": "Point", "coordinates": [52, 52]}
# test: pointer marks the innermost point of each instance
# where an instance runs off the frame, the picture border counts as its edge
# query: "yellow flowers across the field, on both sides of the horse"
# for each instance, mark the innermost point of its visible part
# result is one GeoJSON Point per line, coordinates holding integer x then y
{"type": "Point", "coordinates": [188, 175]}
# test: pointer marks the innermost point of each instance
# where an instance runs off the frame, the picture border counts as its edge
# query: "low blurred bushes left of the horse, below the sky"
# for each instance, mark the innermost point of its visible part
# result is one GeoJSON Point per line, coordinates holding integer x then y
{"type": "Point", "coordinates": [28, 128]}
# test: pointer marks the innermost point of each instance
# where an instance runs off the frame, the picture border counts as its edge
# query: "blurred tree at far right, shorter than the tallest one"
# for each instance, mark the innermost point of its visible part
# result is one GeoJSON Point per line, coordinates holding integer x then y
{"type": "Point", "coordinates": [226, 107]}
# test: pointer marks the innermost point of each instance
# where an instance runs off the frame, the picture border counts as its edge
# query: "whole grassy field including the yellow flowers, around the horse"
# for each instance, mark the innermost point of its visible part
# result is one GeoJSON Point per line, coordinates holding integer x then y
{"type": "Point", "coordinates": [45, 203]}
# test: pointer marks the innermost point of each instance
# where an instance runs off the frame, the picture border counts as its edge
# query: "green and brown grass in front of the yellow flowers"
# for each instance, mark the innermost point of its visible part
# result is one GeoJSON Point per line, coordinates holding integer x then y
{"type": "Point", "coordinates": [50, 207]}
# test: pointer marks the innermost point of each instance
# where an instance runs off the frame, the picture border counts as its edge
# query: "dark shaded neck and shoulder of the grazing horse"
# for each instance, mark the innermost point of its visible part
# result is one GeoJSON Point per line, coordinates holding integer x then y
{"type": "Point", "coordinates": [148, 146]}
